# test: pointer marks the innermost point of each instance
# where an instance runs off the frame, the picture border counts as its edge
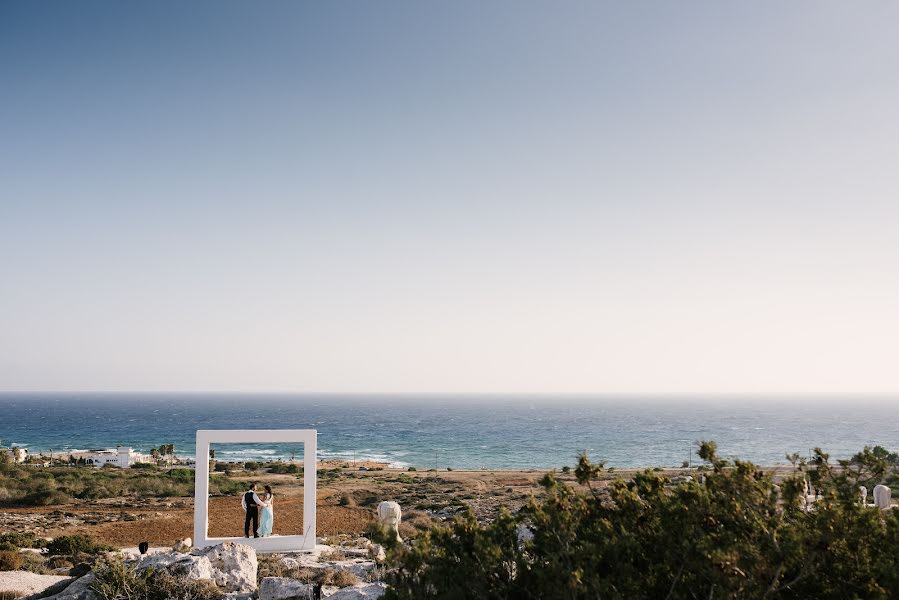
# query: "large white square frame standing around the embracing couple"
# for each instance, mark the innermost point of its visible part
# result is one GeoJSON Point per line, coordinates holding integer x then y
{"type": "Point", "coordinates": [305, 540]}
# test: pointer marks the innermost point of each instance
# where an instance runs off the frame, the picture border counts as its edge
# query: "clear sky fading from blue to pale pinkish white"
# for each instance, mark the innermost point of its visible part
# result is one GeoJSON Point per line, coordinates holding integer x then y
{"type": "Point", "coordinates": [535, 197]}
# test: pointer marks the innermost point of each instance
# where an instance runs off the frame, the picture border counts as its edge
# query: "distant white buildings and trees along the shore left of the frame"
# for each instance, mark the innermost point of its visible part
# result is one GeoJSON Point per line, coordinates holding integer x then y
{"type": "Point", "coordinates": [122, 457]}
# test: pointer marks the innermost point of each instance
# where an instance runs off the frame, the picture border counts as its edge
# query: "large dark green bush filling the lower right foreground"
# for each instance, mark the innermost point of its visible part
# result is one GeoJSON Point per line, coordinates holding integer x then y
{"type": "Point", "coordinates": [733, 535]}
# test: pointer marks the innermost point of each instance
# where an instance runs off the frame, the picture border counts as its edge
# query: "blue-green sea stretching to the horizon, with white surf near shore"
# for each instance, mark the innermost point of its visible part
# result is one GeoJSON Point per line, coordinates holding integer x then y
{"type": "Point", "coordinates": [520, 432]}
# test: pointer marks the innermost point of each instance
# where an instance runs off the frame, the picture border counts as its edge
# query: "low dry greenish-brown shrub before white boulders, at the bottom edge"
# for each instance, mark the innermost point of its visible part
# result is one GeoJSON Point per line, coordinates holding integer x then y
{"type": "Point", "coordinates": [117, 581]}
